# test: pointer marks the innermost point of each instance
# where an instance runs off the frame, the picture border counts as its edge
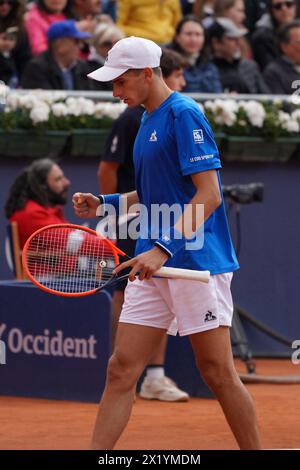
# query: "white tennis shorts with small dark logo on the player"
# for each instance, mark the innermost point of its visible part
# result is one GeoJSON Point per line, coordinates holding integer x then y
{"type": "Point", "coordinates": [179, 306]}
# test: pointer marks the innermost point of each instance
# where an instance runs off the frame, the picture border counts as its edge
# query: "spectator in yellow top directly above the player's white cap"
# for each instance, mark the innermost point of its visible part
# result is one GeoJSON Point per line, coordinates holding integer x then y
{"type": "Point", "coordinates": [150, 19]}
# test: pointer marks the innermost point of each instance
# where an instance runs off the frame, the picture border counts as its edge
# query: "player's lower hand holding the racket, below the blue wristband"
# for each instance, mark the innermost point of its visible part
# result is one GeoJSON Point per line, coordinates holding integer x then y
{"type": "Point", "coordinates": [144, 264]}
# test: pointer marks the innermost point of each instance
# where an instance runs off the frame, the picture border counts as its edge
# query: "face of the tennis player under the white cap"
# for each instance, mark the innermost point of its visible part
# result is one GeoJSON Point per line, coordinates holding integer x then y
{"type": "Point", "coordinates": [132, 87]}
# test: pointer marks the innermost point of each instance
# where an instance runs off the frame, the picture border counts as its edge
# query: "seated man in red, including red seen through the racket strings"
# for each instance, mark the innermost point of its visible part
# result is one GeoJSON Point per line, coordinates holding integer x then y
{"type": "Point", "coordinates": [35, 200]}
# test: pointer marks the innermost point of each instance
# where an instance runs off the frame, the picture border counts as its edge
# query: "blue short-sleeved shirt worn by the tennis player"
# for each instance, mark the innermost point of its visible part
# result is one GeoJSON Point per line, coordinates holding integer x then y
{"type": "Point", "coordinates": [174, 142]}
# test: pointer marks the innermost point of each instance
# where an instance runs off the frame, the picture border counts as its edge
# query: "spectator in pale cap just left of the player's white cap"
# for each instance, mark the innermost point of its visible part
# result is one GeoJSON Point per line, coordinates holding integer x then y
{"type": "Point", "coordinates": [105, 36]}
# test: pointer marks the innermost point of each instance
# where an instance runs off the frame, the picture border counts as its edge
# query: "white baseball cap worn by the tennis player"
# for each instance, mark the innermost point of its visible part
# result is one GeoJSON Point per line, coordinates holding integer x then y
{"type": "Point", "coordinates": [128, 53]}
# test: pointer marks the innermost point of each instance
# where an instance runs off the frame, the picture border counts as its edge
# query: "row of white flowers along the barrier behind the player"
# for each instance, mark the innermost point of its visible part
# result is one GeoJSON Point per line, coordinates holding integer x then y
{"type": "Point", "coordinates": [56, 111]}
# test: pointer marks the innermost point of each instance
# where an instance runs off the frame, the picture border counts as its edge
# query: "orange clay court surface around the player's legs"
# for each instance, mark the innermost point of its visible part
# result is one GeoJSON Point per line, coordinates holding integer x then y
{"type": "Point", "coordinates": [198, 424]}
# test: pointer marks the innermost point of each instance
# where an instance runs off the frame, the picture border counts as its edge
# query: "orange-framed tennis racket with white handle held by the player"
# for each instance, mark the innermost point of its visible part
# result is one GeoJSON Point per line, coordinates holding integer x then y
{"type": "Point", "coordinates": [72, 261]}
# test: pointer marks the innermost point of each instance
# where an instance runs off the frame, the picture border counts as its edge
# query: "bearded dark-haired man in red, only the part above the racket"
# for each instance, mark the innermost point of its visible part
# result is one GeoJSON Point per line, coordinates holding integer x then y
{"type": "Point", "coordinates": [36, 198]}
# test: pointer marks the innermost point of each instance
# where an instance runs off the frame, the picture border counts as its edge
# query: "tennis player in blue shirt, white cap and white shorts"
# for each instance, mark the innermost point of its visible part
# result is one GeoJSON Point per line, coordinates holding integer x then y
{"type": "Point", "coordinates": [176, 161]}
